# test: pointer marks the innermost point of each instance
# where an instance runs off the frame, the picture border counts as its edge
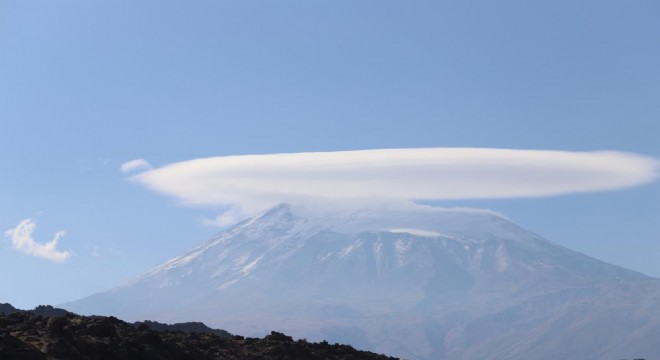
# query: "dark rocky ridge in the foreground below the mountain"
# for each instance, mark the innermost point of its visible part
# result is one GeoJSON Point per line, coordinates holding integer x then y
{"type": "Point", "coordinates": [29, 336]}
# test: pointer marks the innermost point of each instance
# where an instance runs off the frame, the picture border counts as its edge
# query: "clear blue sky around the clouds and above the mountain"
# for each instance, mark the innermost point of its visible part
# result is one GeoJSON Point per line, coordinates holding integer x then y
{"type": "Point", "coordinates": [88, 85]}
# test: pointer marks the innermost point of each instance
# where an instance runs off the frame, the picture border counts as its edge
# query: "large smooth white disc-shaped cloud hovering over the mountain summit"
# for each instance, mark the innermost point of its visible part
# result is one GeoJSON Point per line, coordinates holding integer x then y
{"type": "Point", "coordinates": [252, 182]}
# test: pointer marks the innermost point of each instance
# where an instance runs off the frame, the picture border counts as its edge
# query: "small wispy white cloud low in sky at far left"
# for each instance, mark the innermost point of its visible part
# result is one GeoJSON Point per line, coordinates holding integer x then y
{"type": "Point", "coordinates": [22, 241]}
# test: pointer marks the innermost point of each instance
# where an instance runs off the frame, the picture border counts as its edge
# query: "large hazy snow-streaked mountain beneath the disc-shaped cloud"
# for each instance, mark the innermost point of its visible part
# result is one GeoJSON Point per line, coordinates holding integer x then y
{"type": "Point", "coordinates": [417, 282]}
